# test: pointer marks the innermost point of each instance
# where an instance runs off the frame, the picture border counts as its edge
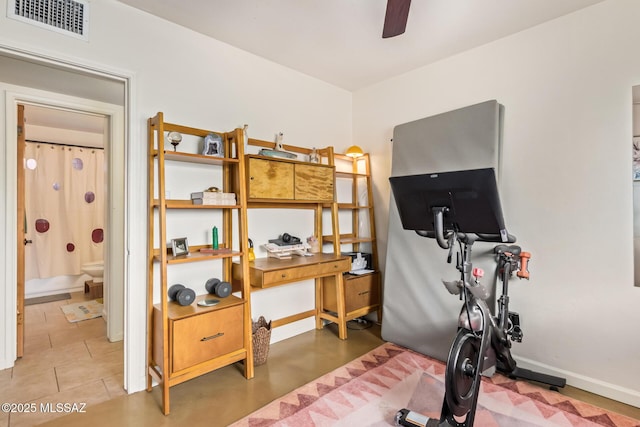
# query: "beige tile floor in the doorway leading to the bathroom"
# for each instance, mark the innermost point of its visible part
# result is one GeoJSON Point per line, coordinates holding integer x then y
{"type": "Point", "coordinates": [63, 362]}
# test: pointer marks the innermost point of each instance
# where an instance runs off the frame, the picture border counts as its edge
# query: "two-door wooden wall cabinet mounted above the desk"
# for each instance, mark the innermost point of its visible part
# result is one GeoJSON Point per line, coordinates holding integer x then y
{"type": "Point", "coordinates": [287, 180]}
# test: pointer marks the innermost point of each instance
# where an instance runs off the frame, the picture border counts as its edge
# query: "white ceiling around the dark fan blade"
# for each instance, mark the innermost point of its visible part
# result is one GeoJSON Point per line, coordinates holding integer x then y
{"type": "Point", "coordinates": [340, 41]}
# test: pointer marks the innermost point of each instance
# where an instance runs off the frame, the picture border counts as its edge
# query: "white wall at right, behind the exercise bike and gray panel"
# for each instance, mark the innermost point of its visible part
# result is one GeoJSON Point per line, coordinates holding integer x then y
{"type": "Point", "coordinates": [566, 179]}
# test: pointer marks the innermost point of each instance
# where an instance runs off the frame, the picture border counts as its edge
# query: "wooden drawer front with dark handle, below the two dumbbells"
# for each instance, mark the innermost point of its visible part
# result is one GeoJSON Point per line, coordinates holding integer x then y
{"type": "Point", "coordinates": [206, 336]}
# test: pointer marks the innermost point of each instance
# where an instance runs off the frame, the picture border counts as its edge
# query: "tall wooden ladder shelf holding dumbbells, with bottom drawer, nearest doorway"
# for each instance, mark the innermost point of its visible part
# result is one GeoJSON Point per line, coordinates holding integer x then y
{"type": "Point", "coordinates": [187, 341]}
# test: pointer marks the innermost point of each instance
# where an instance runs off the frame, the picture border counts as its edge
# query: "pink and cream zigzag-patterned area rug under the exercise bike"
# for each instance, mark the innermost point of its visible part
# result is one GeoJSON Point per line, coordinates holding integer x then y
{"type": "Point", "coordinates": [369, 391]}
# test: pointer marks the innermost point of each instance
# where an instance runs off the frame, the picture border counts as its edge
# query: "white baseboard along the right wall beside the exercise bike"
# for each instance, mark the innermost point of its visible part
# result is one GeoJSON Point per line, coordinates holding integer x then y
{"type": "Point", "coordinates": [592, 385]}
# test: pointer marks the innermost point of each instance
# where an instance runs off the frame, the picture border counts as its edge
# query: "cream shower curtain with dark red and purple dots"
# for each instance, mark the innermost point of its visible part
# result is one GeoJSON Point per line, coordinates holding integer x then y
{"type": "Point", "coordinates": [64, 202]}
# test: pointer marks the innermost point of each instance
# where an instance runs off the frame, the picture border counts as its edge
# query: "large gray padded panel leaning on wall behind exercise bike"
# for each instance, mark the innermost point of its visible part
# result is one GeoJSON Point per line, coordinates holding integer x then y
{"type": "Point", "coordinates": [418, 312]}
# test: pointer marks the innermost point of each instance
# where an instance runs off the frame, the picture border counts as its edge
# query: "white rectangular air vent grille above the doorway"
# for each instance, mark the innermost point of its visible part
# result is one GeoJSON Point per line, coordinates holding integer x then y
{"type": "Point", "coordinates": [63, 16]}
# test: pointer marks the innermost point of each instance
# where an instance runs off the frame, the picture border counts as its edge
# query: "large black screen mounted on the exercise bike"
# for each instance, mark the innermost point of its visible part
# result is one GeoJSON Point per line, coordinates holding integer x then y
{"type": "Point", "coordinates": [471, 197]}
